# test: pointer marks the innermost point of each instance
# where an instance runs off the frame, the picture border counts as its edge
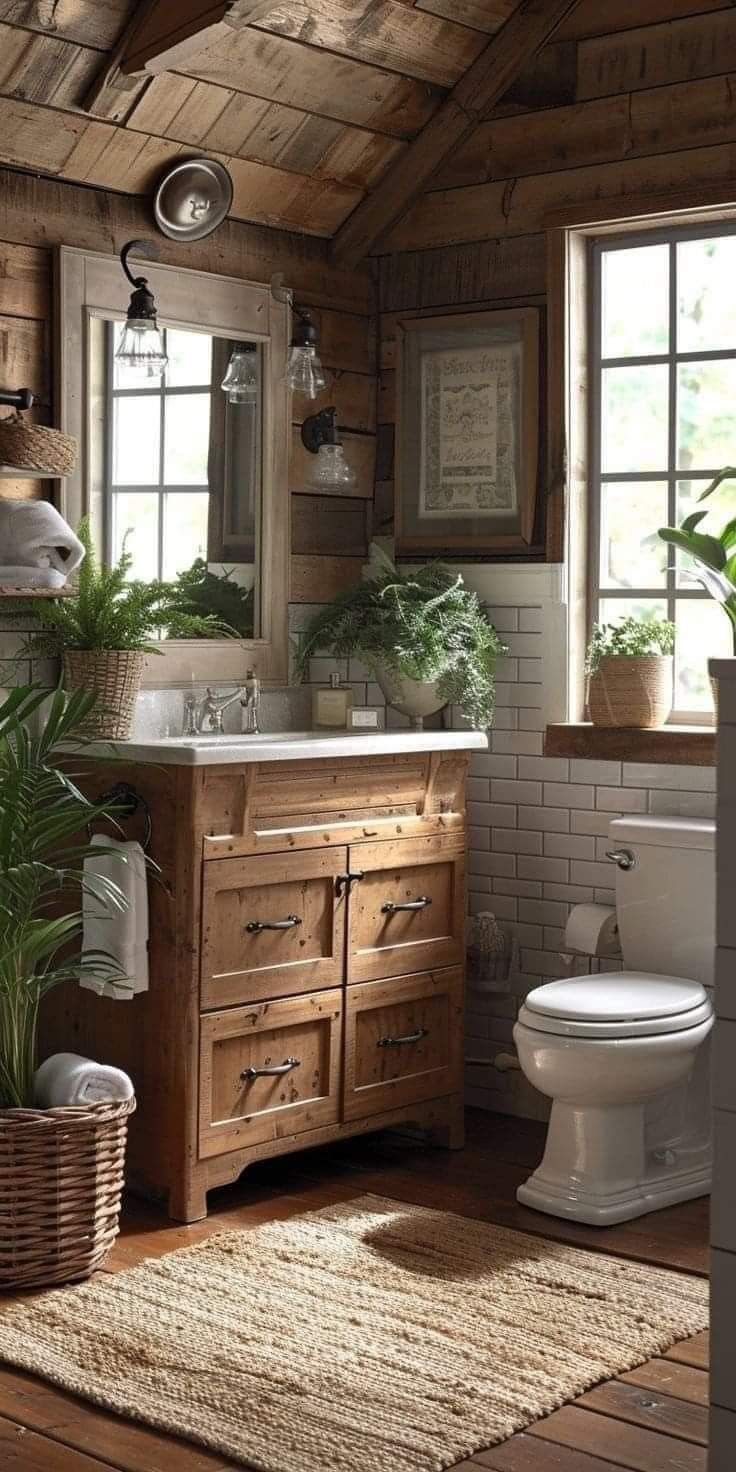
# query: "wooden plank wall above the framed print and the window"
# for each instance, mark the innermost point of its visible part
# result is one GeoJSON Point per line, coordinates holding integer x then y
{"type": "Point", "coordinates": [653, 116]}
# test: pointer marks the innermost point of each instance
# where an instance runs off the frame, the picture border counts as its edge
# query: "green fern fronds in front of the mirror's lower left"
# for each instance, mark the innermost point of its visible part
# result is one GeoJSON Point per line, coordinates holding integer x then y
{"type": "Point", "coordinates": [113, 613]}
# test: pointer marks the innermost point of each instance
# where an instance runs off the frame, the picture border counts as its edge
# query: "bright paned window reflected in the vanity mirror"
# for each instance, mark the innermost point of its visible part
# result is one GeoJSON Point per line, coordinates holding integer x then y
{"type": "Point", "coordinates": [158, 453]}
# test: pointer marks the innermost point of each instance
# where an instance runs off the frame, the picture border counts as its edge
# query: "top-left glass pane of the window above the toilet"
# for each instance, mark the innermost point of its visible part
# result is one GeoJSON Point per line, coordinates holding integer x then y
{"type": "Point", "coordinates": [635, 291]}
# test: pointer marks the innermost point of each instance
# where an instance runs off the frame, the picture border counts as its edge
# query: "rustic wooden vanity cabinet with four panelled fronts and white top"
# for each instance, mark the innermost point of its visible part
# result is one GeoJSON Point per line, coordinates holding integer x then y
{"type": "Point", "coordinates": [307, 958]}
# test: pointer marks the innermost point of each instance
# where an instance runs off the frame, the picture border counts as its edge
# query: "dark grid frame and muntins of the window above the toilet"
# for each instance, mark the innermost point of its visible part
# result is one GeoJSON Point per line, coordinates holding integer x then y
{"type": "Point", "coordinates": [670, 594]}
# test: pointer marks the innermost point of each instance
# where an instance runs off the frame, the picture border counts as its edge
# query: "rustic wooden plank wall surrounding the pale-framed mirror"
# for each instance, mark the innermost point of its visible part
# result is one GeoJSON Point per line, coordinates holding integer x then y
{"type": "Point", "coordinates": [329, 535]}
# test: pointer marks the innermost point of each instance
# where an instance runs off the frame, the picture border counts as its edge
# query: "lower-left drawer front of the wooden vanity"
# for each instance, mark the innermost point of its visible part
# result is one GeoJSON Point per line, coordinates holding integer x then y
{"type": "Point", "coordinates": [302, 1038]}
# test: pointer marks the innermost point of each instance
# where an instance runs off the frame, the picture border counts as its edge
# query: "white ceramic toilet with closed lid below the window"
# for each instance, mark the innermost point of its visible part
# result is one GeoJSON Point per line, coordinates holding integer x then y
{"type": "Point", "coordinates": [623, 1056]}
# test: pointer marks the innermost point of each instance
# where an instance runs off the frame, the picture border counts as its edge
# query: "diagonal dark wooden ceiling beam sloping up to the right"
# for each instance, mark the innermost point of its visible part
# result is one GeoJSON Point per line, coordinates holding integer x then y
{"type": "Point", "coordinates": [469, 104]}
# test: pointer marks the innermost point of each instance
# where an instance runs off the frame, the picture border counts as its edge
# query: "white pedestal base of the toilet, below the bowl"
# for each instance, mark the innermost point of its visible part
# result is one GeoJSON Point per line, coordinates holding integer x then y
{"type": "Point", "coordinates": [598, 1170]}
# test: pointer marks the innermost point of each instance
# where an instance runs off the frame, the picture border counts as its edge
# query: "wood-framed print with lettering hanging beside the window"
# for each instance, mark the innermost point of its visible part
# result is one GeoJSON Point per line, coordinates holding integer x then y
{"type": "Point", "coordinates": [467, 434]}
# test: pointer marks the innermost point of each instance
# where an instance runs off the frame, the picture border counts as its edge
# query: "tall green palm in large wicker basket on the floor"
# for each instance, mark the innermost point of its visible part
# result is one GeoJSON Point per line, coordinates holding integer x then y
{"type": "Point", "coordinates": [61, 1170]}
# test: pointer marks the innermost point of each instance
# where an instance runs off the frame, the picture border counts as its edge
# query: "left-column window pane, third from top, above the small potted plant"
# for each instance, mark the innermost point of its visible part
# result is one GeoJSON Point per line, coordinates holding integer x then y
{"type": "Point", "coordinates": [632, 556]}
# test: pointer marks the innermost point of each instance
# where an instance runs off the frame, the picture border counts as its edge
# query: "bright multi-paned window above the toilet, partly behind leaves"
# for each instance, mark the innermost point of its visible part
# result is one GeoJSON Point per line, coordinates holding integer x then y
{"type": "Point", "coordinates": [663, 425]}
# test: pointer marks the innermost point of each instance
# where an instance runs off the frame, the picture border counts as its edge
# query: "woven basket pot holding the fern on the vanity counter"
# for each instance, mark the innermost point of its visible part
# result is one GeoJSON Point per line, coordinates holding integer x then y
{"type": "Point", "coordinates": [116, 676]}
